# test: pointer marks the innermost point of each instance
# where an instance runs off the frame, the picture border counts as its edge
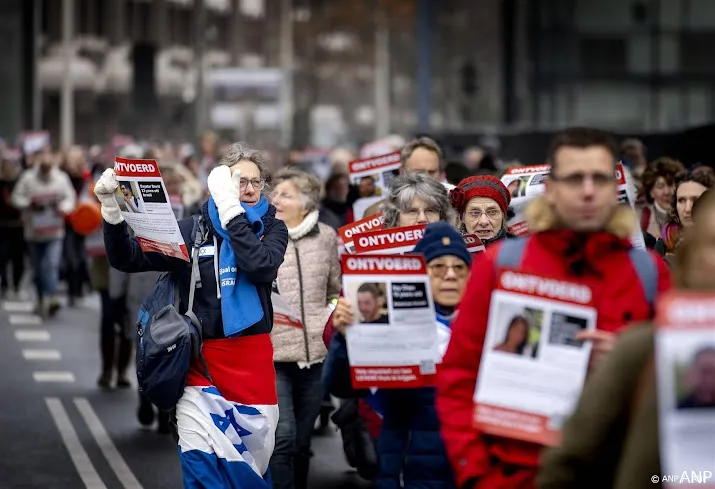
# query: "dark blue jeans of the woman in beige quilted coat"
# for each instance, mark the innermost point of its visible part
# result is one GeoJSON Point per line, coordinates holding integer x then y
{"type": "Point", "coordinates": [300, 395]}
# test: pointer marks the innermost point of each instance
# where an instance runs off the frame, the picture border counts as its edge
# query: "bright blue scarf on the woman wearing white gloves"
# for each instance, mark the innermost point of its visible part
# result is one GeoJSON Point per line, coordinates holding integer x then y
{"type": "Point", "coordinates": [240, 305]}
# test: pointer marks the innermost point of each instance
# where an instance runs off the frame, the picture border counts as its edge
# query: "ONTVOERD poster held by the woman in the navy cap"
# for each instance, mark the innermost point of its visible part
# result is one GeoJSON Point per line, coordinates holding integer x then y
{"type": "Point", "coordinates": [394, 345]}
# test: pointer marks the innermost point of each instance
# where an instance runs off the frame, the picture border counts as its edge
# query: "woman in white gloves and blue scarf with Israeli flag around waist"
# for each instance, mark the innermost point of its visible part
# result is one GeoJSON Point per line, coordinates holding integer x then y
{"type": "Point", "coordinates": [226, 426]}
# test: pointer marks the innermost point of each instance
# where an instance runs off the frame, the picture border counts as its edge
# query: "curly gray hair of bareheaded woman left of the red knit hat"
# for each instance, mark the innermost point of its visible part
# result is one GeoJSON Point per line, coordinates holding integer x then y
{"type": "Point", "coordinates": [406, 187]}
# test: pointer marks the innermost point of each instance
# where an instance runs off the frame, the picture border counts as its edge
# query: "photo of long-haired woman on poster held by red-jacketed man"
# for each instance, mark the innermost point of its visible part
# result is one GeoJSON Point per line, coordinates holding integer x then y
{"type": "Point", "coordinates": [520, 331]}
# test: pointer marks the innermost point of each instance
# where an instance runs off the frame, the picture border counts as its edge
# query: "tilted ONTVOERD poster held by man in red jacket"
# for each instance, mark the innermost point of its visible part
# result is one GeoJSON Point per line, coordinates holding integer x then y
{"type": "Point", "coordinates": [533, 369]}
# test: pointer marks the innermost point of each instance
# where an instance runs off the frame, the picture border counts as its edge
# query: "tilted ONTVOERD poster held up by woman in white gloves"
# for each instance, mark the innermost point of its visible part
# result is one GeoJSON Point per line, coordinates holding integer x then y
{"type": "Point", "coordinates": [145, 205]}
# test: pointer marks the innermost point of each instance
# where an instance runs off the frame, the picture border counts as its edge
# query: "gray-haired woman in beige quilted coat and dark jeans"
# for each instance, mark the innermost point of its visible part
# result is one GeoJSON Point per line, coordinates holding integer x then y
{"type": "Point", "coordinates": [308, 281]}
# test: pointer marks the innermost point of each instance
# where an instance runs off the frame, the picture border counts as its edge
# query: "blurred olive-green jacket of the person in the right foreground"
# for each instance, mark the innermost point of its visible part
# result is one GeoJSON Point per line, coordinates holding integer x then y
{"type": "Point", "coordinates": [611, 441]}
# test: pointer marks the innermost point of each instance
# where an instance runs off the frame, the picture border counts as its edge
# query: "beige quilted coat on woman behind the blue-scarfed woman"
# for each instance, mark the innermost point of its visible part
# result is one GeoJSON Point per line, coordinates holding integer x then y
{"type": "Point", "coordinates": [308, 280]}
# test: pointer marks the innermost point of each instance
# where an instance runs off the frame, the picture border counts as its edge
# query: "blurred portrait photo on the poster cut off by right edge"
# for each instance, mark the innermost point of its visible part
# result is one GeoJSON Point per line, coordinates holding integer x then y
{"type": "Point", "coordinates": [695, 378]}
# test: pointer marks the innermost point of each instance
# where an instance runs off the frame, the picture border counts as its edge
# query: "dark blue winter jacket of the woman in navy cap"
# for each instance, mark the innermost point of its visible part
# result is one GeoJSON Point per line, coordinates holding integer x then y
{"type": "Point", "coordinates": [410, 448]}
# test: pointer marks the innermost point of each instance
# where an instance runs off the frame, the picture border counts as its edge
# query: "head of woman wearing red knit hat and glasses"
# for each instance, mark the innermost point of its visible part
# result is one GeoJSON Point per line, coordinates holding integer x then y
{"type": "Point", "coordinates": [482, 203]}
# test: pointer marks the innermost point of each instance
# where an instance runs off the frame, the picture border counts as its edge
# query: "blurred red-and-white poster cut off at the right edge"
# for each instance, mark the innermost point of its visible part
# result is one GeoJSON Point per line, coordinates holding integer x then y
{"type": "Point", "coordinates": [685, 367]}
